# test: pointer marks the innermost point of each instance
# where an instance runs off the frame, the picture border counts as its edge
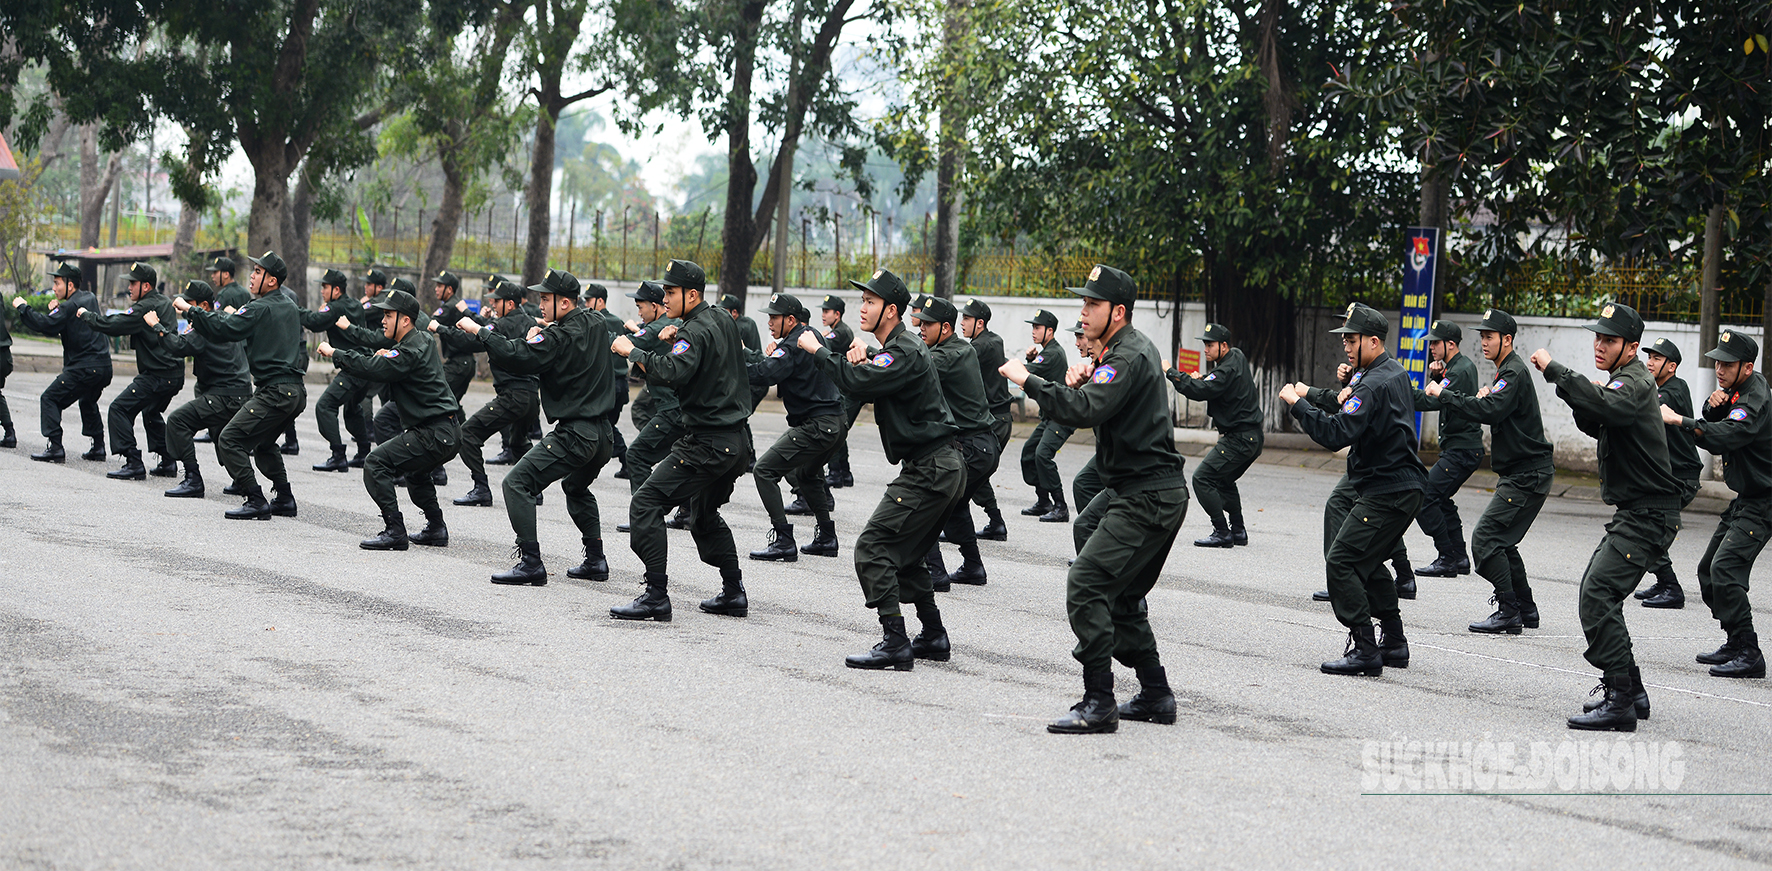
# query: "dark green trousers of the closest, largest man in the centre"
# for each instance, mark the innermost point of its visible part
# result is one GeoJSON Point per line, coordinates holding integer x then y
{"type": "Point", "coordinates": [1119, 564]}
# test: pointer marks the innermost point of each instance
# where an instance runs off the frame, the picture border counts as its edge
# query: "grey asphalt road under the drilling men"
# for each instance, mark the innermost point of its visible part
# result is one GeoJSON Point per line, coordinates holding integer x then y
{"type": "Point", "coordinates": [182, 691]}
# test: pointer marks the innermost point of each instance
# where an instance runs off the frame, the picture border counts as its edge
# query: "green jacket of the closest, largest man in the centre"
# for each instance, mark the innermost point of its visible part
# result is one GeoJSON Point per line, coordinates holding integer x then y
{"type": "Point", "coordinates": [1128, 405]}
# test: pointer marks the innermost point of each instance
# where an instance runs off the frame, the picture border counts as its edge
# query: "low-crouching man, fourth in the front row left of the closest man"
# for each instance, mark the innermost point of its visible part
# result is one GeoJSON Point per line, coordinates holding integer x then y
{"type": "Point", "coordinates": [430, 415]}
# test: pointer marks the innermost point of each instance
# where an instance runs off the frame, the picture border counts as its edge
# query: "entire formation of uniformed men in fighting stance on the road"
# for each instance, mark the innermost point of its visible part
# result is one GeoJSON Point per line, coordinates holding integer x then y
{"type": "Point", "coordinates": [938, 382]}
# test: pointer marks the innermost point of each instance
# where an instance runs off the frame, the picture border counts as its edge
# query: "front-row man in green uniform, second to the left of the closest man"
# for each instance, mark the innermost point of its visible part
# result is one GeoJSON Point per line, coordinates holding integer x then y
{"type": "Point", "coordinates": [706, 366]}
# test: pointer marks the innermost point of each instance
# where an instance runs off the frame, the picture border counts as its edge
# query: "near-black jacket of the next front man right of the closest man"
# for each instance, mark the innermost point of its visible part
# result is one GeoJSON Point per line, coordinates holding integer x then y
{"type": "Point", "coordinates": [1378, 422]}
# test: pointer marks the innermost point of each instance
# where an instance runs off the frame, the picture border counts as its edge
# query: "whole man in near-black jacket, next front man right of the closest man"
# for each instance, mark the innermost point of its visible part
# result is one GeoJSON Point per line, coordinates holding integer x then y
{"type": "Point", "coordinates": [1376, 420]}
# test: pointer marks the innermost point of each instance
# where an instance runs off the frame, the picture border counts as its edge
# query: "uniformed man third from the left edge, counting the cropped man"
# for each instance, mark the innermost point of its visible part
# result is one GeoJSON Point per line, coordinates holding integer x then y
{"type": "Point", "coordinates": [160, 376]}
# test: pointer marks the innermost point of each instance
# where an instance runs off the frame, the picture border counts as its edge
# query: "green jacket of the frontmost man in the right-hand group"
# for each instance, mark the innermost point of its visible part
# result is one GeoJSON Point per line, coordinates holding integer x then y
{"type": "Point", "coordinates": [1624, 415]}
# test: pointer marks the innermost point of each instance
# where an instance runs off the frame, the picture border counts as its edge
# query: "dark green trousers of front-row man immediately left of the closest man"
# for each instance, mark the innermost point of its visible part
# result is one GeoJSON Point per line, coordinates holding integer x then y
{"type": "Point", "coordinates": [905, 527]}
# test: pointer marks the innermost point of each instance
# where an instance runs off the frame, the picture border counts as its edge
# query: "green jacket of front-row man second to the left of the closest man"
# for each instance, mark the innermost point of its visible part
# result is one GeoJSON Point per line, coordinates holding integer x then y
{"type": "Point", "coordinates": [706, 366]}
